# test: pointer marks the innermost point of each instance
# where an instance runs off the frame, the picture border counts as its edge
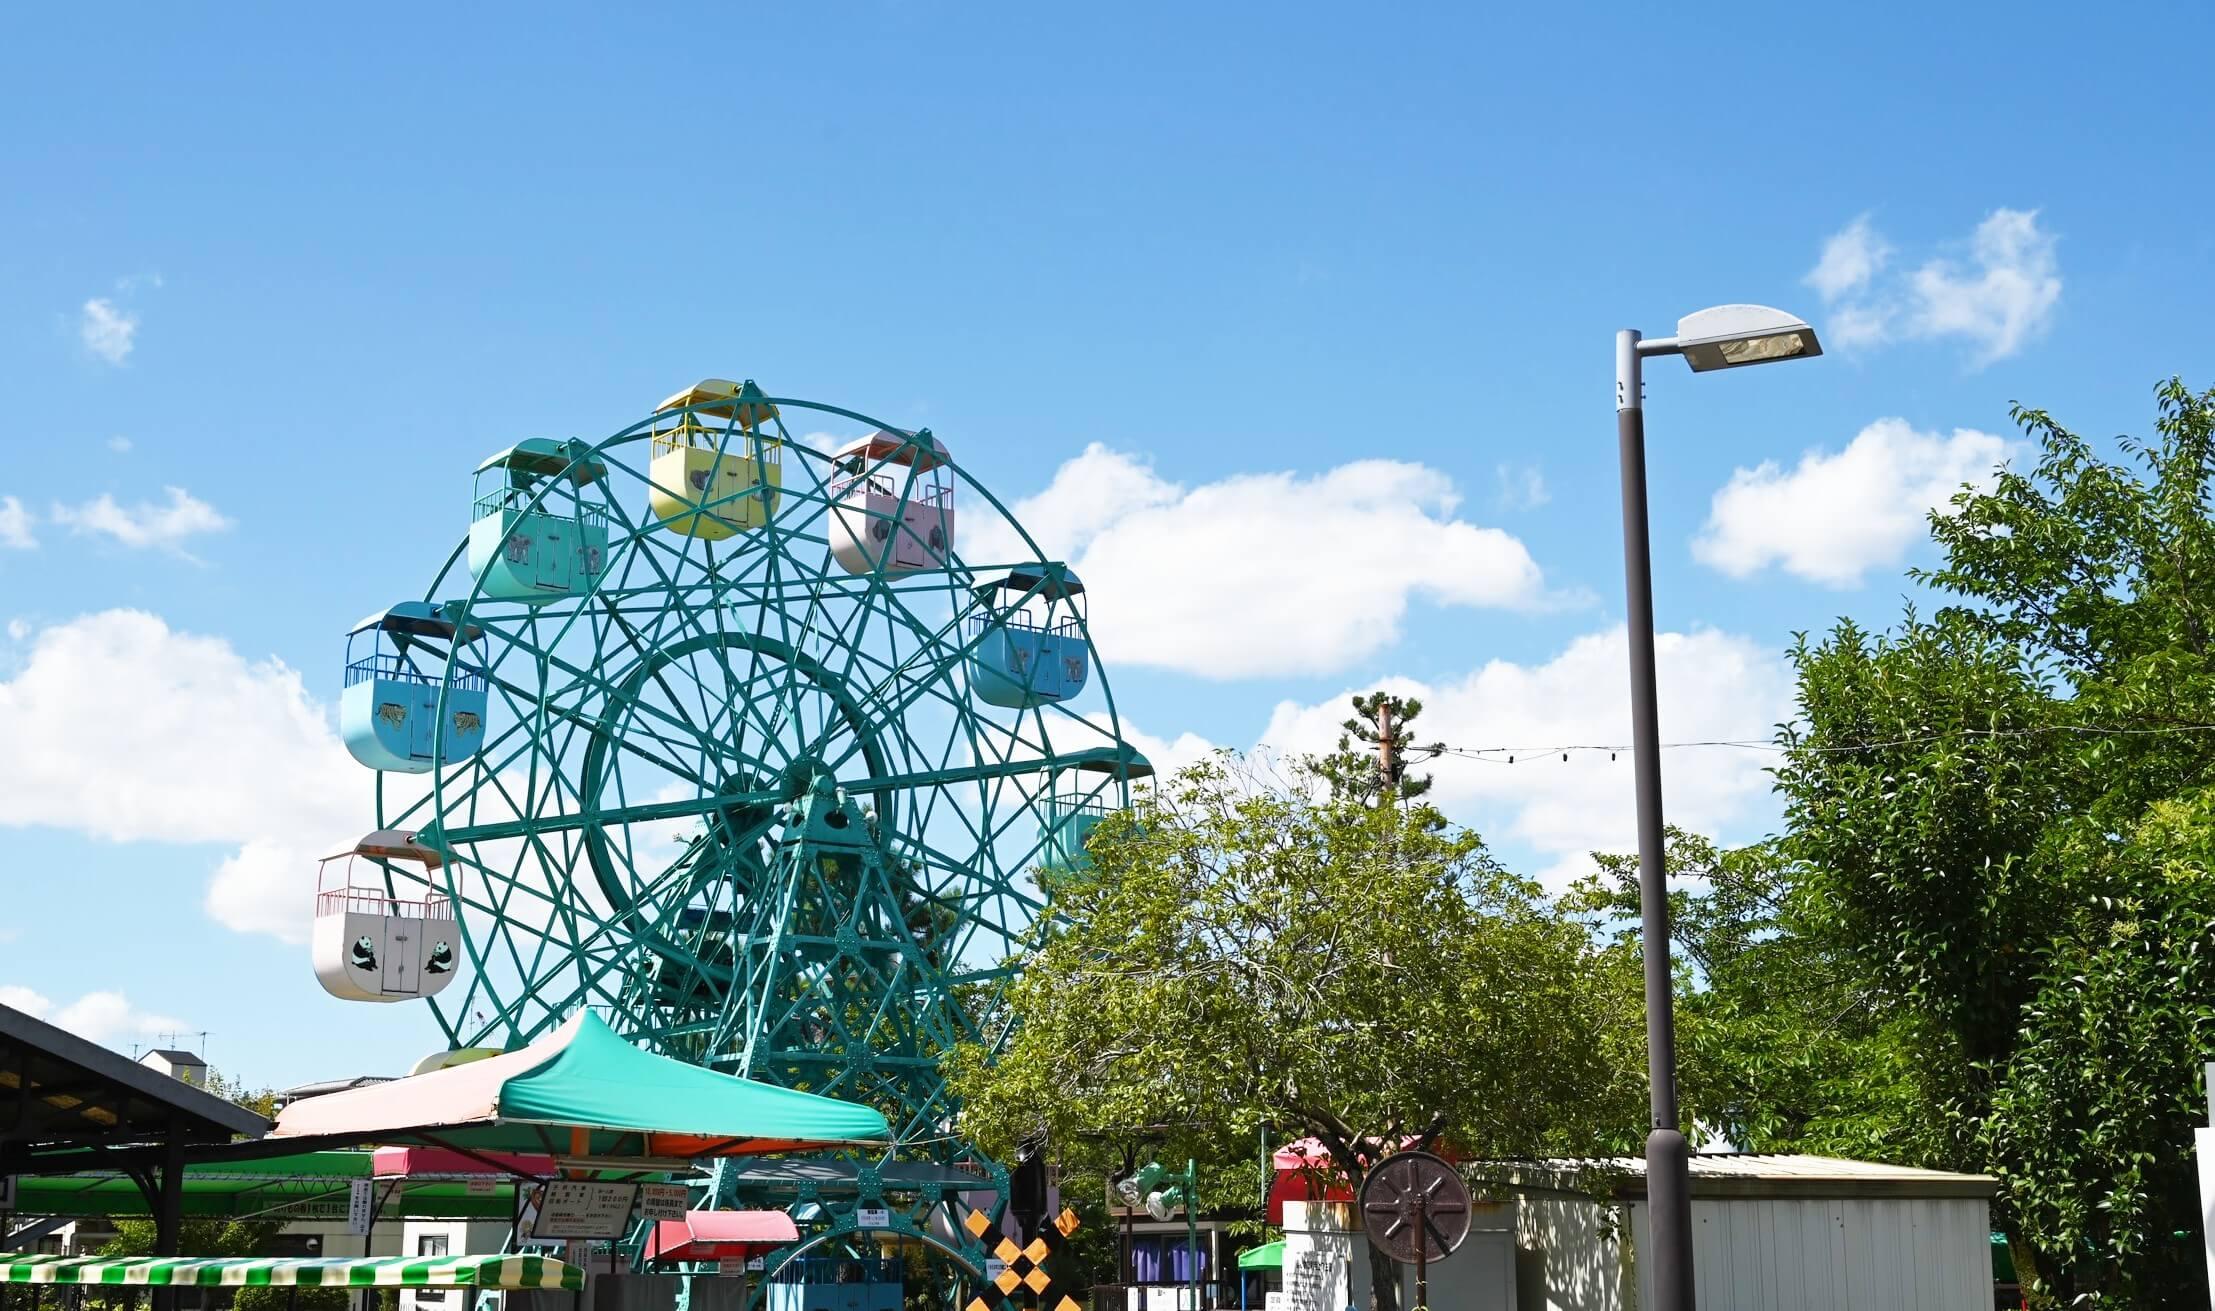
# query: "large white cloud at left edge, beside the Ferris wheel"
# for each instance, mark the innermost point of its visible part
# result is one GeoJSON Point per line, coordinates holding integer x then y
{"type": "Point", "coordinates": [205, 747]}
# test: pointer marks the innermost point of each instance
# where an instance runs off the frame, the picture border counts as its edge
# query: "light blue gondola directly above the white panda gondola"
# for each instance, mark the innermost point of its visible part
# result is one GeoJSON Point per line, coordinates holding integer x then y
{"type": "Point", "coordinates": [395, 670]}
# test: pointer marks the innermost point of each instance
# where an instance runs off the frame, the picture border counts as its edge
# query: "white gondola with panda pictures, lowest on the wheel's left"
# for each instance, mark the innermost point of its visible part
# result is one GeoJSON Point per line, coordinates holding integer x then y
{"type": "Point", "coordinates": [384, 931]}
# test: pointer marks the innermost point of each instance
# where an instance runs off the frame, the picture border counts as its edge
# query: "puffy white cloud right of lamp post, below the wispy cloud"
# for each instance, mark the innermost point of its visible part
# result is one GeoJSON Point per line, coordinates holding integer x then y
{"type": "Point", "coordinates": [1844, 513]}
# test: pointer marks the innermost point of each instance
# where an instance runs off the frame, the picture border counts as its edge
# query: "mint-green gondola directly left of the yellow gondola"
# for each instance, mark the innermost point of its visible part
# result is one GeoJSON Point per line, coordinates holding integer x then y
{"type": "Point", "coordinates": [544, 553]}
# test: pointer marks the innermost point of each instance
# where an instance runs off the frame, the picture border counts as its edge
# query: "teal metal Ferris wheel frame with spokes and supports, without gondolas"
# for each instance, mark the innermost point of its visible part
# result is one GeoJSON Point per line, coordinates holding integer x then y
{"type": "Point", "coordinates": [745, 803]}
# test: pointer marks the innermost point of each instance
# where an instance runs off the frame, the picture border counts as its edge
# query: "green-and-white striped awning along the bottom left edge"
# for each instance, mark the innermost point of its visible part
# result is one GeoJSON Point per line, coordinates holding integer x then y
{"type": "Point", "coordinates": [395, 1272]}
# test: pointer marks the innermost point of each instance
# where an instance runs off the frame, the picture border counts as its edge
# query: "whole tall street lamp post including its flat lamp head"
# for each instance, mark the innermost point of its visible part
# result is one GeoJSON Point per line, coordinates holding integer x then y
{"type": "Point", "coordinates": [1711, 340]}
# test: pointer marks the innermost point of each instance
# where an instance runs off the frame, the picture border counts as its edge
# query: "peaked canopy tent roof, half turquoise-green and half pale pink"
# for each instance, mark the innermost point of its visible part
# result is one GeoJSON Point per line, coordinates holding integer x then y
{"type": "Point", "coordinates": [586, 1095]}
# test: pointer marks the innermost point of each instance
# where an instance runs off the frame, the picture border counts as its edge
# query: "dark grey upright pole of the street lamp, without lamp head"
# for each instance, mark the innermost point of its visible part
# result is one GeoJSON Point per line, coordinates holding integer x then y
{"type": "Point", "coordinates": [1669, 1186]}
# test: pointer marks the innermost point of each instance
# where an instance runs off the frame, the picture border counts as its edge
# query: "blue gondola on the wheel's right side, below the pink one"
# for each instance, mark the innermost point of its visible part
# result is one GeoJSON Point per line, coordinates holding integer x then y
{"type": "Point", "coordinates": [1031, 639]}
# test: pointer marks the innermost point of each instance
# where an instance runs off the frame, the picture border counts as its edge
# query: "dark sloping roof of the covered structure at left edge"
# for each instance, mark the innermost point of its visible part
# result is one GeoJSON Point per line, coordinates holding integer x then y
{"type": "Point", "coordinates": [65, 1102]}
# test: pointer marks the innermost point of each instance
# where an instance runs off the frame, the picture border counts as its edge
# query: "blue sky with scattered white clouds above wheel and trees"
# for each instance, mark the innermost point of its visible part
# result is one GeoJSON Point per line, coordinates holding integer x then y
{"type": "Point", "coordinates": [1339, 282]}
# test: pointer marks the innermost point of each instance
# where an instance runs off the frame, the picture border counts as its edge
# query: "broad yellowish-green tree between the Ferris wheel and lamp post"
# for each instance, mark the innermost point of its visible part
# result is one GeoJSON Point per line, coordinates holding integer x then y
{"type": "Point", "coordinates": [1250, 956]}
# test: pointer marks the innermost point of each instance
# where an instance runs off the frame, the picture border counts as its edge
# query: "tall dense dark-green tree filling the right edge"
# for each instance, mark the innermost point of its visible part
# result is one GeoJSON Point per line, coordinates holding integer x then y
{"type": "Point", "coordinates": [2006, 816]}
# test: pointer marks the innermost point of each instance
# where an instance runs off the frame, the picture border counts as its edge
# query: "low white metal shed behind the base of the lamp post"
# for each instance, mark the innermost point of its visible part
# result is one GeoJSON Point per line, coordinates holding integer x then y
{"type": "Point", "coordinates": [1769, 1235]}
